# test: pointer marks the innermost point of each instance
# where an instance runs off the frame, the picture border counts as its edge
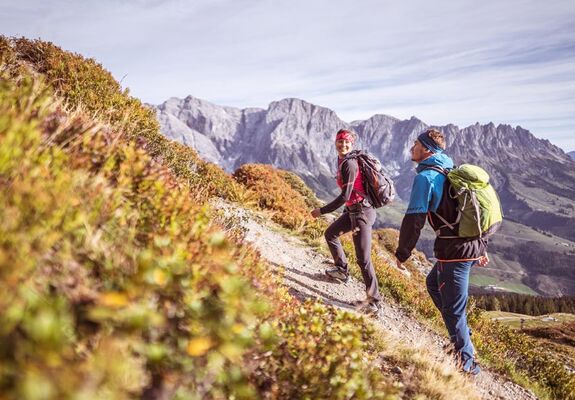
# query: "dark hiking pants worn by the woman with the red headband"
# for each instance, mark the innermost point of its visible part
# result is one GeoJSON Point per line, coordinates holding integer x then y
{"type": "Point", "coordinates": [360, 219]}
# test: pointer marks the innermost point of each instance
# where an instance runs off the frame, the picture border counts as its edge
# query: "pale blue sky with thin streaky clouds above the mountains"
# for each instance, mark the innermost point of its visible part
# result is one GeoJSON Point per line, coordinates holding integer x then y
{"type": "Point", "coordinates": [444, 61]}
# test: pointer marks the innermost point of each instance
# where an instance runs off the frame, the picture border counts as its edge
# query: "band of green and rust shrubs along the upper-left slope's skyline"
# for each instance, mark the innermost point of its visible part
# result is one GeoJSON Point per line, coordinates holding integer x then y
{"type": "Point", "coordinates": [85, 85]}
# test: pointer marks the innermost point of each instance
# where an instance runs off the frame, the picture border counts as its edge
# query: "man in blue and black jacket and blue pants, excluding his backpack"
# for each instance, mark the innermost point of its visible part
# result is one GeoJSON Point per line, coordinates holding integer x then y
{"type": "Point", "coordinates": [448, 281]}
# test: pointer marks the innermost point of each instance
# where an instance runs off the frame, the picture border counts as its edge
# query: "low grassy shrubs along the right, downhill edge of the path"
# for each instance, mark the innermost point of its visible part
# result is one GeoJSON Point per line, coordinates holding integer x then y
{"type": "Point", "coordinates": [515, 354]}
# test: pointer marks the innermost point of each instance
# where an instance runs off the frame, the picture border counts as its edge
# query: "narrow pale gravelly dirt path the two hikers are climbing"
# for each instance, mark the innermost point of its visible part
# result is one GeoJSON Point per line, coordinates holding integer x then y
{"type": "Point", "coordinates": [303, 274]}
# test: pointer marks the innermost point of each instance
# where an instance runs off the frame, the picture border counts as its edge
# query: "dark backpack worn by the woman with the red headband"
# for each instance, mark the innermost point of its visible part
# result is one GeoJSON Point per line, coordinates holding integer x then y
{"type": "Point", "coordinates": [377, 185]}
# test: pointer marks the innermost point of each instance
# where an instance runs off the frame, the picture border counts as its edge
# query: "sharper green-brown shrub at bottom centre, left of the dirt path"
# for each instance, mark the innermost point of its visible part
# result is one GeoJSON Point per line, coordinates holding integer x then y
{"type": "Point", "coordinates": [323, 345]}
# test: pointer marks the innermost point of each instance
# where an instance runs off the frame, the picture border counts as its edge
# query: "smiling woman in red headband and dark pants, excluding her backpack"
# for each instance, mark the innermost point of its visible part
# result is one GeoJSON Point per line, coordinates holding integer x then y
{"type": "Point", "coordinates": [358, 217]}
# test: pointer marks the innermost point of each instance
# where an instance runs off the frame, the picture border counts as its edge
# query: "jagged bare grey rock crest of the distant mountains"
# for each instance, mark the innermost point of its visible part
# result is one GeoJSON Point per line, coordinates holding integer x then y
{"type": "Point", "coordinates": [293, 125]}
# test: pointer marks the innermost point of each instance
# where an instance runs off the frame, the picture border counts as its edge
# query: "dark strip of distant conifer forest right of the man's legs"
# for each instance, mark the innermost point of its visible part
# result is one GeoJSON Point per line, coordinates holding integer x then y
{"type": "Point", "coordinates": [525, 304]}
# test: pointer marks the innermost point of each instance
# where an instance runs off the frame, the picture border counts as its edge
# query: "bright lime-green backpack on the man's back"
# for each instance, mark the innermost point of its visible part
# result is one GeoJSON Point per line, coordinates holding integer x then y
{"type": "Point", "coordinates": [479, 209]}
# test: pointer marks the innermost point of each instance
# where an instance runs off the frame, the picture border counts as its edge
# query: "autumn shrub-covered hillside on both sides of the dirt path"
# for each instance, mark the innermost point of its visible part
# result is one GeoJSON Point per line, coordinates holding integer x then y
{"type": "Point", "coordinates": [116, 282]}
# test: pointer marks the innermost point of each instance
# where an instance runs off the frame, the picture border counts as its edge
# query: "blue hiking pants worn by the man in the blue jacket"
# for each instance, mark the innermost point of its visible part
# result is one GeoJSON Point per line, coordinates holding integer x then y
{"type": "Point", "coordinates": [448, 284]}
